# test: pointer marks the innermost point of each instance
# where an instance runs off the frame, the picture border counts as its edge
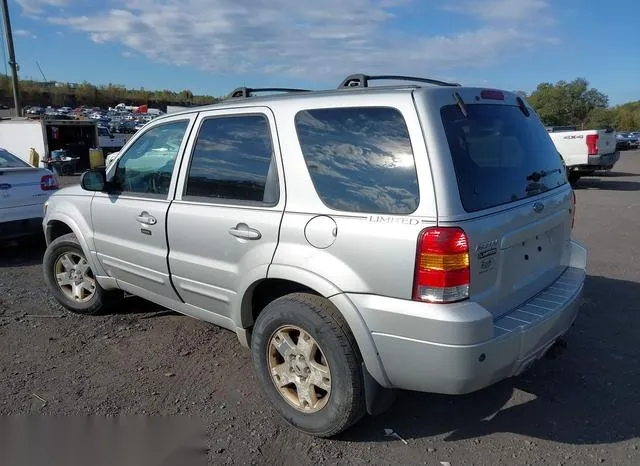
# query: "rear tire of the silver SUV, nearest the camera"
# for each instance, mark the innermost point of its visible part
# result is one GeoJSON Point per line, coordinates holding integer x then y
{"type": "Point", "coordinates": [344, 403]}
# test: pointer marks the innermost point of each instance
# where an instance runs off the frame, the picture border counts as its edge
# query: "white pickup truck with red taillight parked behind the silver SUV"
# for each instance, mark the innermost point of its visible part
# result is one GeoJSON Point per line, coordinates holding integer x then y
{"type": "Point", "coordinates": [585, 152]}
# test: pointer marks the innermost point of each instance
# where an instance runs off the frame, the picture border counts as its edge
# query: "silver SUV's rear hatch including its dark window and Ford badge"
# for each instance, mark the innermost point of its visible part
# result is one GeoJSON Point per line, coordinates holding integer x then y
{"type": "Point", "coordinates": [512, 201]}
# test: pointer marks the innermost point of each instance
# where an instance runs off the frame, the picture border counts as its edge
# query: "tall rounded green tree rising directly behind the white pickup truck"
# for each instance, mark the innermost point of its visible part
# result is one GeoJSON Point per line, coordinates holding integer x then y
{"type": "Point", "coordinates": [567, 103]}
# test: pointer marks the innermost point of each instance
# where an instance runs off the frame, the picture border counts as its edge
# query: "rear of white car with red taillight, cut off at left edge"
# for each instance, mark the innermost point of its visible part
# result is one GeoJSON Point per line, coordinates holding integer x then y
{"type": "Point", "coordinates": [22, 185]}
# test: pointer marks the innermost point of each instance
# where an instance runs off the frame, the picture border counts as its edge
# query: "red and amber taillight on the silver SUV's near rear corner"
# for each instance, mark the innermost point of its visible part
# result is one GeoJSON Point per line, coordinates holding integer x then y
{"type": "Point", "coordinates": [442, 272]}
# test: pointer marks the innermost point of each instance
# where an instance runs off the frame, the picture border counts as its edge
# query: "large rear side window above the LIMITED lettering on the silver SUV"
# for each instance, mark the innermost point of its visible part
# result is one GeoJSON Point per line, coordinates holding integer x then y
{"type": "Point", "coordinates": [360, 159]}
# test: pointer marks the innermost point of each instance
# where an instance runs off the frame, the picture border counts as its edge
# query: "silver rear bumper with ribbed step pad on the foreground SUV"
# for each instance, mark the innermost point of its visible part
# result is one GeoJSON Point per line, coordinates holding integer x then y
{"type": "Point", "coordinates": [513, 341]}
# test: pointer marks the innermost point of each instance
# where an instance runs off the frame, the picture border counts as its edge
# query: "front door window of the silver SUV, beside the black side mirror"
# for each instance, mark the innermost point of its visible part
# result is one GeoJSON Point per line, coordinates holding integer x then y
{"type": "Point", "coordinates": [147, 166]}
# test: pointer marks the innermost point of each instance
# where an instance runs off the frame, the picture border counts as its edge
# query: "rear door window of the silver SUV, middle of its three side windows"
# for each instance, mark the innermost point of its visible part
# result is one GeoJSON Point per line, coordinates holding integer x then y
{"type": "Point", "coordinates": [232, 159]}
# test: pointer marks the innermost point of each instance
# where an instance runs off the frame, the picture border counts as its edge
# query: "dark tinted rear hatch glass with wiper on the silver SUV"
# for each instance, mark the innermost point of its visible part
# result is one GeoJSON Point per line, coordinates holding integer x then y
{"type": "Point", "coordinates": [500, 155]}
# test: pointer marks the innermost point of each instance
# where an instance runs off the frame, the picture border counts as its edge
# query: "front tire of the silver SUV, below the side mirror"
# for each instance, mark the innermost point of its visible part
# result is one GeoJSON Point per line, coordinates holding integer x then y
{"type": "Point", "coordinates": [92, 302]}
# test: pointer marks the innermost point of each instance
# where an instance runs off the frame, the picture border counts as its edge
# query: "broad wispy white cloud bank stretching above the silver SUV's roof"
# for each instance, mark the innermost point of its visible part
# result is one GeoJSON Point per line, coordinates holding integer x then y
{"type": "Point", "coordinates": [321, 41]}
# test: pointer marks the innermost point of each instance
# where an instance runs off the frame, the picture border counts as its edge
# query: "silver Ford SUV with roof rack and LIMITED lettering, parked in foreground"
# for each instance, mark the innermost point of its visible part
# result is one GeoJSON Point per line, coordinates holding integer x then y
{"type": "Point", "coordinates": [357, 240]}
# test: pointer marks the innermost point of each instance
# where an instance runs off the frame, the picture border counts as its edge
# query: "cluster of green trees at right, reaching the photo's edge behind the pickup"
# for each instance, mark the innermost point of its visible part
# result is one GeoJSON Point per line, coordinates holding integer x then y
{"type": "Point", "coordinates": [574, 103]}
